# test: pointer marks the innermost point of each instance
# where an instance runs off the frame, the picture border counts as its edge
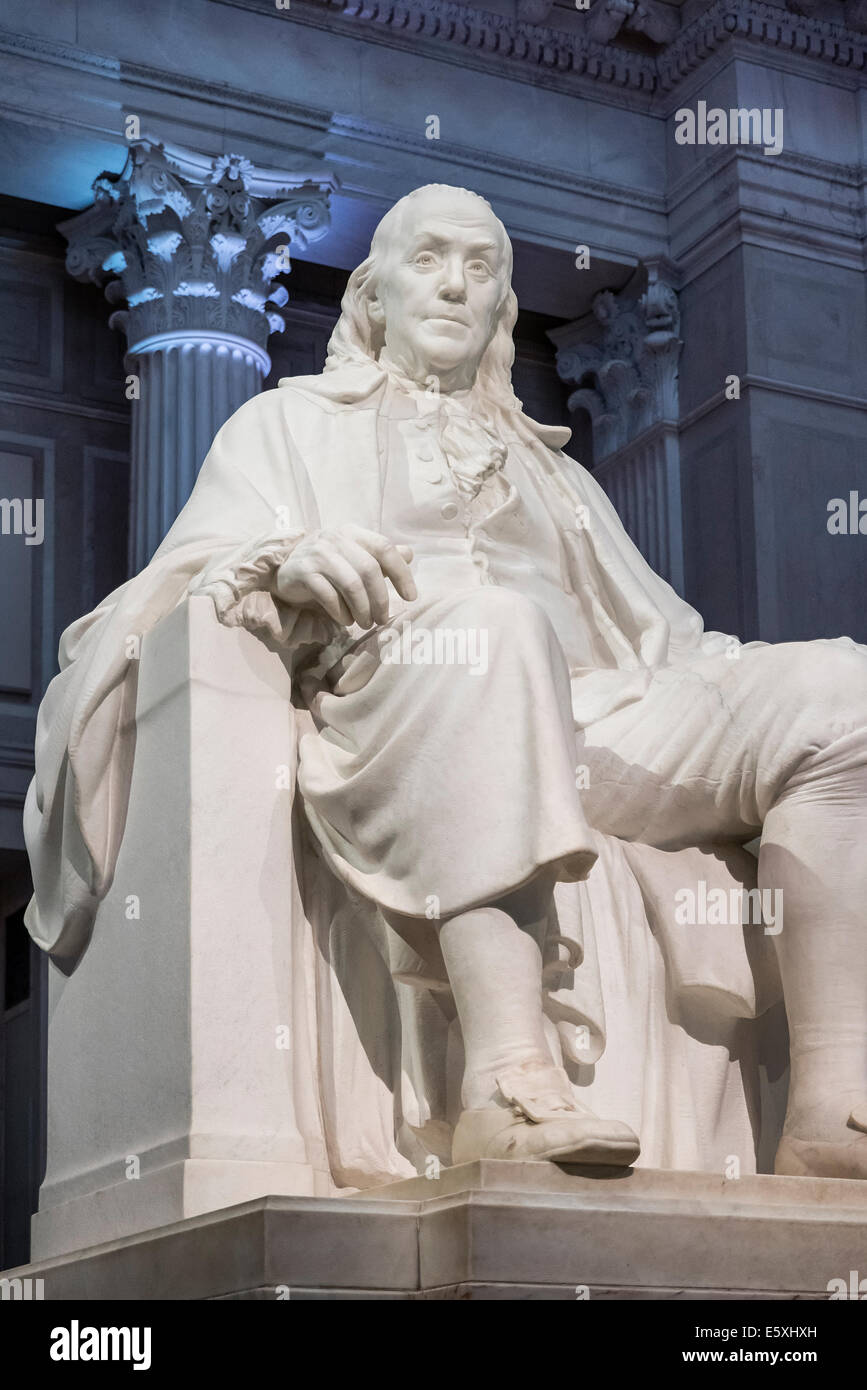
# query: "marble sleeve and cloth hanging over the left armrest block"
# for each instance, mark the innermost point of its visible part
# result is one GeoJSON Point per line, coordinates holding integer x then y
{"type": "Point", "coordinates": [247, 514]}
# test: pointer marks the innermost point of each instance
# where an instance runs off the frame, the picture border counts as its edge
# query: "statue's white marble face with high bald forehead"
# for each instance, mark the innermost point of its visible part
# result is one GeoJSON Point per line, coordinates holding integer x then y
{"type": "Point", "coordinates": [441, 287]}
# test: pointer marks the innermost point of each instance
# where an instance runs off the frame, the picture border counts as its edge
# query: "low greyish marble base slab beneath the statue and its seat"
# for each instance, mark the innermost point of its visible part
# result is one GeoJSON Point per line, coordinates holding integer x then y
{"type": "Point", "coordinates": [497, 1231]}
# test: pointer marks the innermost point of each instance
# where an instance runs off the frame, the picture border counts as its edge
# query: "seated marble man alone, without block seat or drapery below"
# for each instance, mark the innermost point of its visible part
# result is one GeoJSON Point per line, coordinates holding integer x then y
{"type": "Point", "coordinates": [466, 622]}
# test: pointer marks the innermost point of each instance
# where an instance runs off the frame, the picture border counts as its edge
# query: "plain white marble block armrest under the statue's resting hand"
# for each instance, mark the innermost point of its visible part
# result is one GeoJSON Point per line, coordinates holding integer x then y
{"type": "Point", "coordinates": [176, 1100]}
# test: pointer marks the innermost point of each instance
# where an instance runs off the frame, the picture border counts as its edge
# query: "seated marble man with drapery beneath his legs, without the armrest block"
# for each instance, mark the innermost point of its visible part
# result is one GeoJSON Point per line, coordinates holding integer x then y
{"type": "Point", "coordinates": [518, 746]}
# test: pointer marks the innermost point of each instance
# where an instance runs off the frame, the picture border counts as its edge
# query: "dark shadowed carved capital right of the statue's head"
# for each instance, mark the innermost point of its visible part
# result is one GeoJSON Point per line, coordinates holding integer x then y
{"type": "Point", "coordinates": [625, 362]}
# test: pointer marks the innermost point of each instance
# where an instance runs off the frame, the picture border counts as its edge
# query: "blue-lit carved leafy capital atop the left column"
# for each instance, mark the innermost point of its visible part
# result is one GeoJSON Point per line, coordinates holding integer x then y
{"type": "Point", "coordinates": [190, 243]}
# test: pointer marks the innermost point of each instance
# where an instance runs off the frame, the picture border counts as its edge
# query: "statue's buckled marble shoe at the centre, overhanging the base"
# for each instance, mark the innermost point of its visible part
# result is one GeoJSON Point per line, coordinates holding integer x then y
{"type": "Point", "coordinates": [540, 1120]}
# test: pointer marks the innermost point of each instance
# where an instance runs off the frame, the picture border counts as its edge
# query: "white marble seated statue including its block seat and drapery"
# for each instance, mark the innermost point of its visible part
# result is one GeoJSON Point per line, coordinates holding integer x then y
{"type": "Point", "coordinates": [308, 928]}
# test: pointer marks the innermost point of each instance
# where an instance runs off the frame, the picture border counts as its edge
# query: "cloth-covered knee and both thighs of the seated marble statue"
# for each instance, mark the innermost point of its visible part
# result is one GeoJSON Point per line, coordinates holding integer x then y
{"type": "Point", "coordinates": [447, 771]}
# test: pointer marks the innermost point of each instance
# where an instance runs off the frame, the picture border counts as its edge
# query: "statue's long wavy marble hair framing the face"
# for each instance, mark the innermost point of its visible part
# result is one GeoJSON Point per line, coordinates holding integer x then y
{"type": "Point", "coordinates": [356, 340]}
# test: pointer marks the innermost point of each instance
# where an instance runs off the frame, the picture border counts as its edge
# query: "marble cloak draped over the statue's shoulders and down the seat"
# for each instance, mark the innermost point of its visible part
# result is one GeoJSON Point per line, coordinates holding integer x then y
{"type": "Point", "coordinates": [623, 989]}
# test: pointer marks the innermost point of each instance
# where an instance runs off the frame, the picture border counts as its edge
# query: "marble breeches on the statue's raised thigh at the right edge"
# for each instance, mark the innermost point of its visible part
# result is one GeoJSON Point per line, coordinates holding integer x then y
{"type": "Point", "coordinates": [715, 746]}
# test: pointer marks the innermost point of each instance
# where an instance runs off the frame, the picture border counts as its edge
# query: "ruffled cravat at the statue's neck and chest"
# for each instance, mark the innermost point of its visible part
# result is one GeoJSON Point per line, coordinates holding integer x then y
{"type": "Point", "coordinates": [468, 437]}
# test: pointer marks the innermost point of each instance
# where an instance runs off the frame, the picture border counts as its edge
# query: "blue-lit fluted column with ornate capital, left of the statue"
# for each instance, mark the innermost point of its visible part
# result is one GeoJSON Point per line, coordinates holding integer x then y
{"type": "Point", "coordinates": [190, 250]}
